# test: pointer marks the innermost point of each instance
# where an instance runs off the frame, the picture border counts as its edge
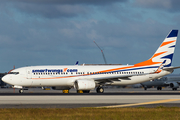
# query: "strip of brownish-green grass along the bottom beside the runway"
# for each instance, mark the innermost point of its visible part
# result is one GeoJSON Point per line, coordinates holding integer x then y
{"type": "Point", "coordinates": [158, 113]}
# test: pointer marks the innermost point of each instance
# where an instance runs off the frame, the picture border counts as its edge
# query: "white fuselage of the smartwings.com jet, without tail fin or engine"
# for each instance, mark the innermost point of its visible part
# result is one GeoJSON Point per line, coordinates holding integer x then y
{"type": "Point", "coordinates": [67, 75]}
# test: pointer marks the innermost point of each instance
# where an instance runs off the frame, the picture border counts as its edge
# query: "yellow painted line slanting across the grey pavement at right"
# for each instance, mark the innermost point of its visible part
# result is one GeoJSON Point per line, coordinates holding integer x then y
{"type": "Point", "coordinates": [136, 104]}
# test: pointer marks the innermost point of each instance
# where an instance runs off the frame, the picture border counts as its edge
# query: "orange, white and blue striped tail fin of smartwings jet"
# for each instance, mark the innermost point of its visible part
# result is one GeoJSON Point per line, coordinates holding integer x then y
{"type": "Point", "coordinates": [164, 52]}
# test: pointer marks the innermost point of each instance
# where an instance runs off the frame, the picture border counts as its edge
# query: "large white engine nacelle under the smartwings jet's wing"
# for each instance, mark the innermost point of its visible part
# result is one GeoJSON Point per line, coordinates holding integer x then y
{"type": "Point", "coordinates": [84, 84]}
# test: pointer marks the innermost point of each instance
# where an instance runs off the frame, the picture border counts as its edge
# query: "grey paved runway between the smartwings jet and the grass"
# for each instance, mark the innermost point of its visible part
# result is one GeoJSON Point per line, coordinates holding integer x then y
{"type": "Point", "coordinates": [37, 98]}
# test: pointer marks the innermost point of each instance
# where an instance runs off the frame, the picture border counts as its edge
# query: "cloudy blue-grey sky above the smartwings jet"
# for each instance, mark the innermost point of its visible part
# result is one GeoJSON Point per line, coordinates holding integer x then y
{"type": "Point", "coordinates": [59, 32]}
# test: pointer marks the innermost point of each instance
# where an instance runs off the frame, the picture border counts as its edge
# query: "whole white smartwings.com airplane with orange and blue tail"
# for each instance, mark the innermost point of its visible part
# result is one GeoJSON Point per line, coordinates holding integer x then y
{"type": "Point", "coordinates": [88, 77]}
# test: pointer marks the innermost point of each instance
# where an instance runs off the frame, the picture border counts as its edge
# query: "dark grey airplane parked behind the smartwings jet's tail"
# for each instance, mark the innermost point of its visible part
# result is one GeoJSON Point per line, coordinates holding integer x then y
{"type": "Point", "coordinates": [172, 81]}
